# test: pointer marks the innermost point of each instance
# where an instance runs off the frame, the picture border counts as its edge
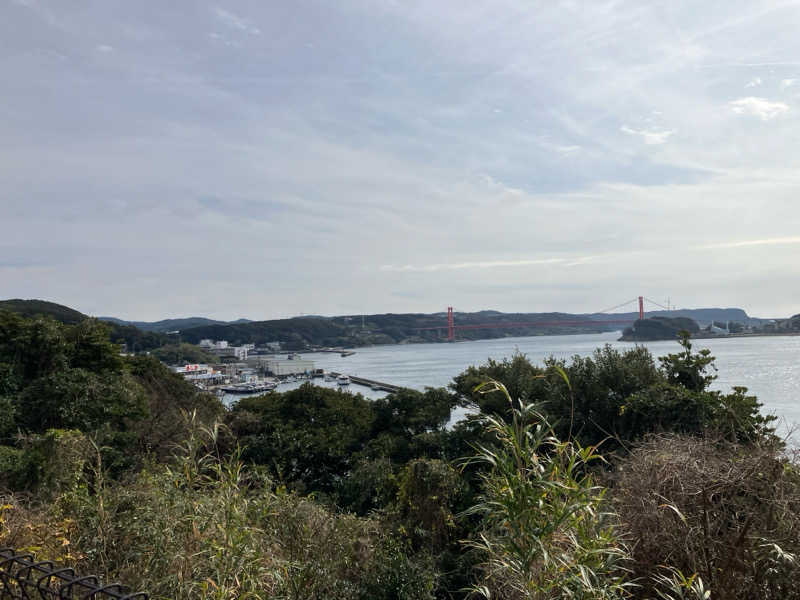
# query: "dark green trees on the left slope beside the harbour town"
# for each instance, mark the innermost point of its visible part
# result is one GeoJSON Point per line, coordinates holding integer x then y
{"type": "Point", "coordinates": [72, 377]}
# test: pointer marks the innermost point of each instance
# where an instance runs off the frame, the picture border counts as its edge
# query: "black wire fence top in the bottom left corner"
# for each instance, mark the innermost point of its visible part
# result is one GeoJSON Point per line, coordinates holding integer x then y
{"type": "Point", "coordinates": [21, 576]}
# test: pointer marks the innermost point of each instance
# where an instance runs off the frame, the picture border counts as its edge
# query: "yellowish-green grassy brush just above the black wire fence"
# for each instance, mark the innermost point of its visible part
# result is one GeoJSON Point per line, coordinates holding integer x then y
{"type": "Point", "coordinates": [211, 528]}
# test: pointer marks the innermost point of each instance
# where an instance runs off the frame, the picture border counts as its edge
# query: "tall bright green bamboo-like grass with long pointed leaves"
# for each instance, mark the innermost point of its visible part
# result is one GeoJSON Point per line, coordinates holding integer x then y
{"type": "Point", "coordinates": [545, 531]}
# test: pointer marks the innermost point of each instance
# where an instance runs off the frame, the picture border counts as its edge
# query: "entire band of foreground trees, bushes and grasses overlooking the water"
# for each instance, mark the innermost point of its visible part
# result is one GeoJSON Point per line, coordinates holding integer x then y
{"type": "Point", "coordinates": [609, 476]}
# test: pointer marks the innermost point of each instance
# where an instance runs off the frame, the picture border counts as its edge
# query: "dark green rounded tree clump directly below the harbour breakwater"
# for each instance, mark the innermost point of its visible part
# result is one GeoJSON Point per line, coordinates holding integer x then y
{"type": "Point", "coordinates": [314, 438]}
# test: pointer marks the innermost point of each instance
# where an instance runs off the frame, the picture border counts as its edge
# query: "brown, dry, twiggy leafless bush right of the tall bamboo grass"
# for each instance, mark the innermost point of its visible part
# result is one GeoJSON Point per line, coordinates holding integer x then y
{"type": "Point", "coordinates": [728, 512]}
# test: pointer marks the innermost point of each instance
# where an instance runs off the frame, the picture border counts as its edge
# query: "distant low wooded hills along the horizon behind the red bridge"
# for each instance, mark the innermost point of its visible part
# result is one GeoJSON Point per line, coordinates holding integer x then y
{"type": "Point", "coordinates": [300, 333]}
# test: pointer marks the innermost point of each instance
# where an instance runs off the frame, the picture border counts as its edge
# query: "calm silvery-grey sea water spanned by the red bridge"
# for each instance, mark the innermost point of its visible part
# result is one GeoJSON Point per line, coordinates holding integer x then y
{"type": "Point", "coordinates": [768, 366]}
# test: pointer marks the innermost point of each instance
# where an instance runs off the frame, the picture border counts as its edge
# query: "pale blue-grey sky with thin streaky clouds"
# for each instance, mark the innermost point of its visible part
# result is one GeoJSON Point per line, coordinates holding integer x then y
{"type": "Point", "coordinates": [265, 158]}
